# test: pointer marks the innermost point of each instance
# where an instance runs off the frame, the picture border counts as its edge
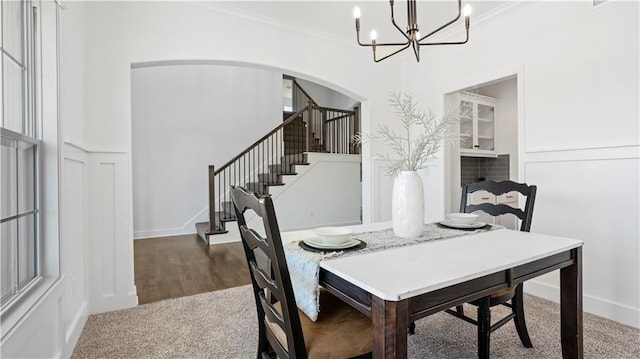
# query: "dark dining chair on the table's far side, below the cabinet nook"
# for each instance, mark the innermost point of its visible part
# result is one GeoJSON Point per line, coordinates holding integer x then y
{"type": "Point", "coordinates": [510, 297]}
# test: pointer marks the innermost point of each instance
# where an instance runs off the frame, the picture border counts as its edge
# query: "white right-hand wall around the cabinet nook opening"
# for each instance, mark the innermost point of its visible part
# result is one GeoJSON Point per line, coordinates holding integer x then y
{"type": "Point", "coordinates": [579, 139]}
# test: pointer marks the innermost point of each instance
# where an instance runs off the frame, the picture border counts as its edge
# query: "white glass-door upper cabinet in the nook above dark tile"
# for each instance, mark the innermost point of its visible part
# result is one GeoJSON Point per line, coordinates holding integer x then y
{"type": "Point", "coordinates": [477, 125]}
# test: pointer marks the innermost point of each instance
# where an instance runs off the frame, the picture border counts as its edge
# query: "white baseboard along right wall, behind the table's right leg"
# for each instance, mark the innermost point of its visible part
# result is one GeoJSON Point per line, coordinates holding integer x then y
{"type": "Point", "coordinates": [598, 306]}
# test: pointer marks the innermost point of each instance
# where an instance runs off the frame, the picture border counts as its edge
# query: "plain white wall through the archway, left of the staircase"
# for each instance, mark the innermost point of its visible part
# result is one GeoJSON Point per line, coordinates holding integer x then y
{"type": "Point", "coordinates": [185, 118]}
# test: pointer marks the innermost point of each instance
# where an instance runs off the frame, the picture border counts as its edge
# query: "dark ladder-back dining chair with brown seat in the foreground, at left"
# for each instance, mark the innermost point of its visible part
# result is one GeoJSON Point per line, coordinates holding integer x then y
{"type": "Point", "coordinates": [283, 331]}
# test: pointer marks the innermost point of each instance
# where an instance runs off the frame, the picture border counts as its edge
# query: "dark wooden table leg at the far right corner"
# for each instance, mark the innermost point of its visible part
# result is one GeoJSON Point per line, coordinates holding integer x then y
{"type": "Point", "coordinates": [571, 308]}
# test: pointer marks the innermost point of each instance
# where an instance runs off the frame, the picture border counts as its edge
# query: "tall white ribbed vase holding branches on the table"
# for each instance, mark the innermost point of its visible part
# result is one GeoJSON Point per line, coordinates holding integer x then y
{"type": "Point", "coordinates": [407, 205]}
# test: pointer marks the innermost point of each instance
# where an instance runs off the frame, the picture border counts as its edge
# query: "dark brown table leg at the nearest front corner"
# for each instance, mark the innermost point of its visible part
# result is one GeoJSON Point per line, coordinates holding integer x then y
{"type": "Point", "coordinates": [389, 320]}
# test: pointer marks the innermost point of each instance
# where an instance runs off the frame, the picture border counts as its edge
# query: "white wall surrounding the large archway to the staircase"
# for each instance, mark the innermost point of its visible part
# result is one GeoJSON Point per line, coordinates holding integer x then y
{"type": "Point", "coordinates": [168, 31]}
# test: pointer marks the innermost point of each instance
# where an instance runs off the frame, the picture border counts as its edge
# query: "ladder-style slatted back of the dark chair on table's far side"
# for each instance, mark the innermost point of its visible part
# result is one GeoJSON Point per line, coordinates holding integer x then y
{"type": "Point", "coordinates": [499, 188]}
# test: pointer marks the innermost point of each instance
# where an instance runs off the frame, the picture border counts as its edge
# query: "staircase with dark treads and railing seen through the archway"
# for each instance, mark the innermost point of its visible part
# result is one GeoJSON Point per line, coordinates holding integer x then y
{"type": "Point", "coordinates": [311, 128]}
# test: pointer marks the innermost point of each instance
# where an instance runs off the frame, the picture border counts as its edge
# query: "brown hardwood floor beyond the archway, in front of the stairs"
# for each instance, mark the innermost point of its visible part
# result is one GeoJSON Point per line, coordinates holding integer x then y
{"type": "Point", "coordinates": [171, 267]}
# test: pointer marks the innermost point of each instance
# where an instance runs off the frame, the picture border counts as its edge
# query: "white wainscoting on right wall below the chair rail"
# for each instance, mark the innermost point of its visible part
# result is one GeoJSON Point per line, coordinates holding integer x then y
{"type": "Point", "coordinates": [595, 200]}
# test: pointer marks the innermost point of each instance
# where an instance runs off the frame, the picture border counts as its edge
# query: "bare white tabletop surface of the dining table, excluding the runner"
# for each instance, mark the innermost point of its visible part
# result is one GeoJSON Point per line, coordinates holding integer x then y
{"type": "Point", "coordinates": [403, 272]}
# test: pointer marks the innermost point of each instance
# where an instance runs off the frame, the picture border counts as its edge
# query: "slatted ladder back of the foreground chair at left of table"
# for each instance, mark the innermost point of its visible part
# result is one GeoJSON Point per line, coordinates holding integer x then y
{"type": "Point", "coordinates": [271, 282]}
